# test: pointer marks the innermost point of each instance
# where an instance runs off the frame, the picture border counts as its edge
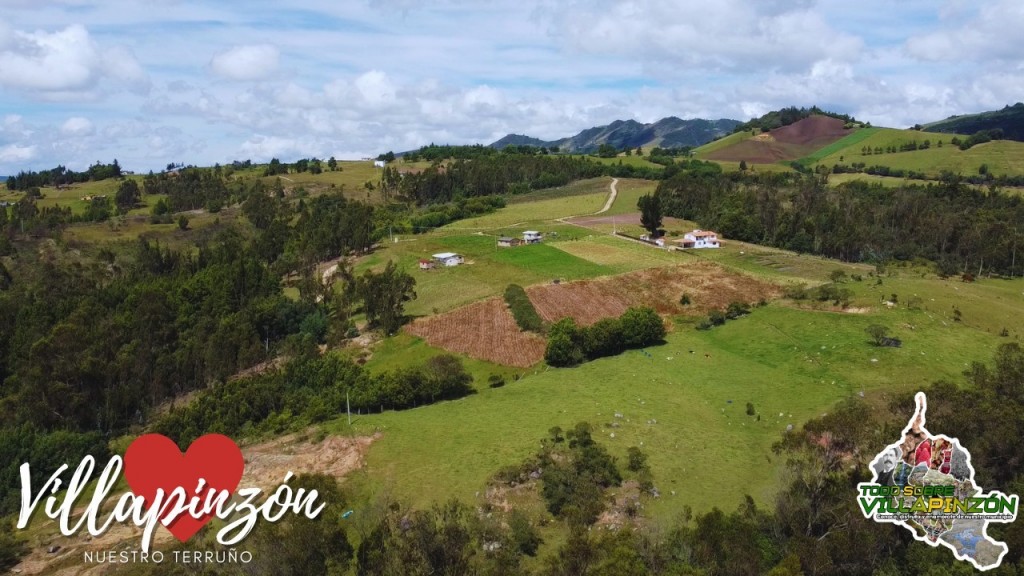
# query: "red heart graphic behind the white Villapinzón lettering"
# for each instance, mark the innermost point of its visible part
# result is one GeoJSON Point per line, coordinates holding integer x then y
{"type": "Point", "coordinates": [154, 462]}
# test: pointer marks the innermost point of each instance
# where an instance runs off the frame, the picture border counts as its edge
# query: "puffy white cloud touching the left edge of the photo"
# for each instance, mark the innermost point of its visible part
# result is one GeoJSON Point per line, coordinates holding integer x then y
{"type": "Point", "coordinates": [64, 62]}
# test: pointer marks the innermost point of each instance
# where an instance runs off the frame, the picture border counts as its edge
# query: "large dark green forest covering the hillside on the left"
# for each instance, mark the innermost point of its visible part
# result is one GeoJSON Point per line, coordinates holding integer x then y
{"type": "Point", "coordinates": [92, 343]}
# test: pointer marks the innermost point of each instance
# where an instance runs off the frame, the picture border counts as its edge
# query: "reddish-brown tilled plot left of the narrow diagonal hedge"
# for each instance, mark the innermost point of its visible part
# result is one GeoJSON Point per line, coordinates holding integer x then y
{"type": "Point", "coordinates": [483, 331]}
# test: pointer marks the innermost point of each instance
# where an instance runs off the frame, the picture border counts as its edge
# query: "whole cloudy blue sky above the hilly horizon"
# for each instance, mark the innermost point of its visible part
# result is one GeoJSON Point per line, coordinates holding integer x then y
{"type": "Point", "coordinates": [151, 83]}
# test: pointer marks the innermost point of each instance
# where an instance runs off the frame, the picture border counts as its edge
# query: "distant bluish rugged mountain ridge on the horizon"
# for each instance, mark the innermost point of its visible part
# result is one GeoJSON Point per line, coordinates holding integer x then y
{"type": "Point", "coordinates": [667, 133]}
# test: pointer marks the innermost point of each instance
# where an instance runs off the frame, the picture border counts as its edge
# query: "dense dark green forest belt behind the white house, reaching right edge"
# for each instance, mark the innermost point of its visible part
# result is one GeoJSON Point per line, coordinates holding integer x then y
{"type": "Point", "coordinates": [959, 227]}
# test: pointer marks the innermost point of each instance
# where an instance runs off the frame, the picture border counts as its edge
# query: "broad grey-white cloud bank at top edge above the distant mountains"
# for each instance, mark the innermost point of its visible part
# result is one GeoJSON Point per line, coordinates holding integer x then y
{"type": "Point", "coordinates": [727, 35]}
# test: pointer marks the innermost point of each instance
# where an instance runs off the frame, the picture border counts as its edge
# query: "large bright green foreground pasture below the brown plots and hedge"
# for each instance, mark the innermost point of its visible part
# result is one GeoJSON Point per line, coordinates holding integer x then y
{"type": "Point", "coordinates": [703, 446]}
